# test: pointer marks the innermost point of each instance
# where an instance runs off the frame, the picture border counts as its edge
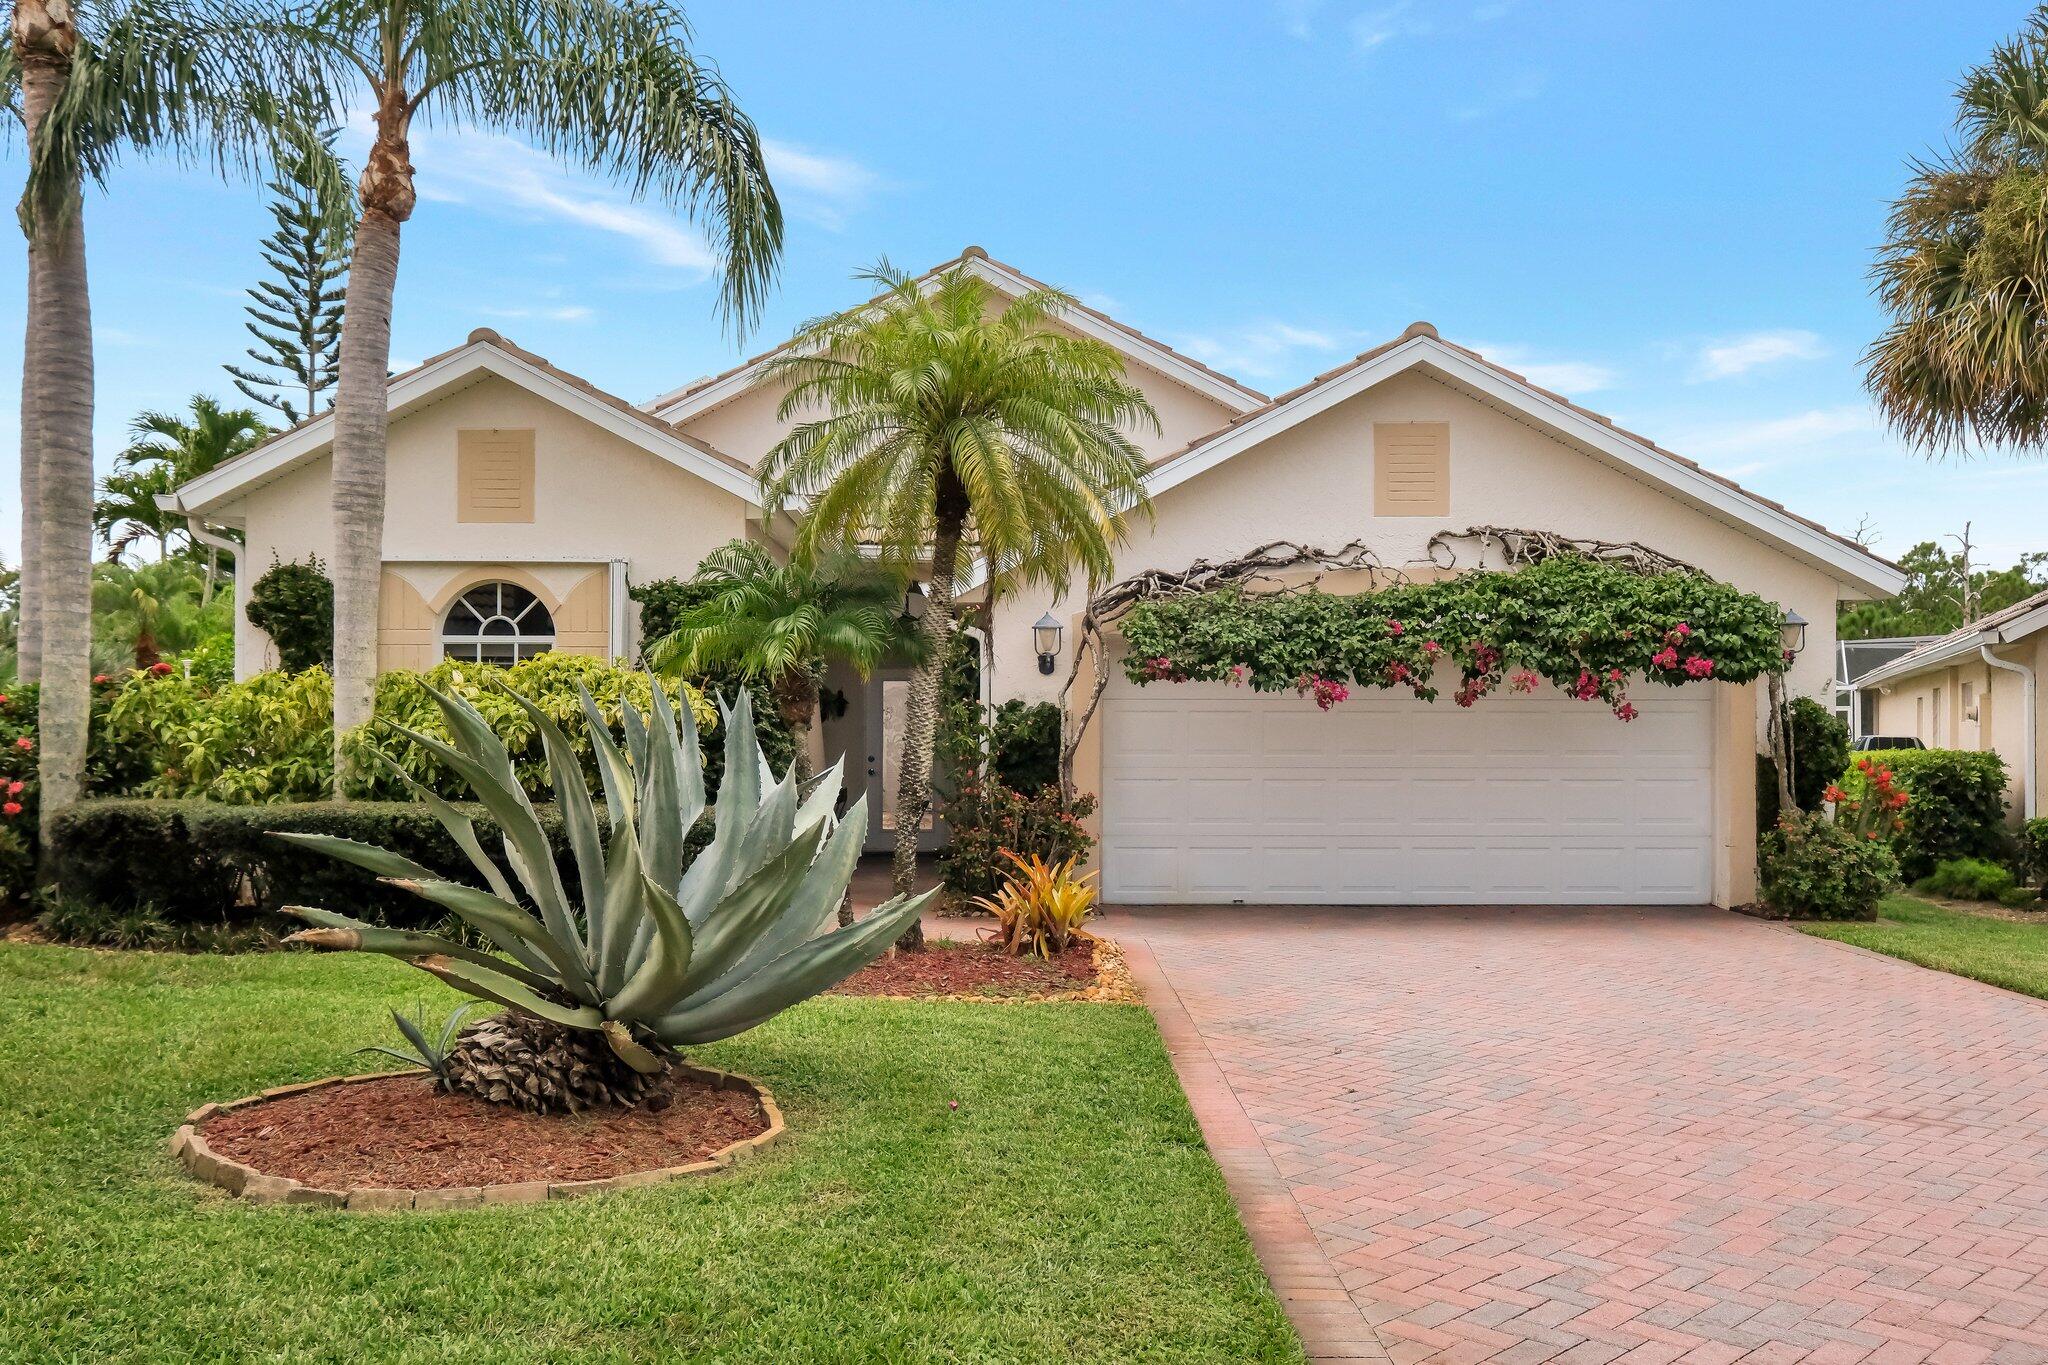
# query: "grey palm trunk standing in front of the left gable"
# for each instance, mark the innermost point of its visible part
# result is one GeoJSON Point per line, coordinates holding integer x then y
{"type": "Point", "coordinates": [359, 425]}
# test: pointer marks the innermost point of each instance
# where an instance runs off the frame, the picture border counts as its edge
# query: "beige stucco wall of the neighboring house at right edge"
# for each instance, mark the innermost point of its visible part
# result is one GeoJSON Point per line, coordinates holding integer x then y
{"type": "Point", "coordinates": [1908, 707]}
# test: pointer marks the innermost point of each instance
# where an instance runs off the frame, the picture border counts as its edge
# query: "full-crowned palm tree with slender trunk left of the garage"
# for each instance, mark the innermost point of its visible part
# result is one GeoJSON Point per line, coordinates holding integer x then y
{"type": "Point", "coordinates": [955, 425]}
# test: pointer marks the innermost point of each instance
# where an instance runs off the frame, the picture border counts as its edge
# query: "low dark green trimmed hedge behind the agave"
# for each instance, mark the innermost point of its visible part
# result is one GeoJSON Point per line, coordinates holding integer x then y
{"type": "Point", "coordinates": [189, 861]}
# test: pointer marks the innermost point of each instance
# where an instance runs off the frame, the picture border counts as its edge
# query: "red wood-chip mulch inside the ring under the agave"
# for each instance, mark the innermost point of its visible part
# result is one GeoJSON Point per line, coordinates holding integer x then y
{"type": "Point", "coordinates": [407, 1135]}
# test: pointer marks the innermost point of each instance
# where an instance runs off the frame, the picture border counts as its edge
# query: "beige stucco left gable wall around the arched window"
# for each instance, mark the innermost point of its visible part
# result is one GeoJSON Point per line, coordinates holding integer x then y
{"type": "Point", "coordinates": [597, 498]}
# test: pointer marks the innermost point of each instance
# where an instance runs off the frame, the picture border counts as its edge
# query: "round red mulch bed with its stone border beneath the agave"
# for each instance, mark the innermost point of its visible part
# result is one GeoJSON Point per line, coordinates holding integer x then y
{"type": "Point", "coordinates": [394, 1141]}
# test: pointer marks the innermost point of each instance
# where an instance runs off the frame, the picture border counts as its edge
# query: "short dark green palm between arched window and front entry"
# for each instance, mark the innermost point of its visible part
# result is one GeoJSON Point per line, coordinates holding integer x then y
{"type": "Point", "coordinates": [785, 623]}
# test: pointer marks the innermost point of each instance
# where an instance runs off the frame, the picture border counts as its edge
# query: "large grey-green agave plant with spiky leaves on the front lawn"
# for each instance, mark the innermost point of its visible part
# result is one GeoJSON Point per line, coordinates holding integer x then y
{"type": "Point", "coordinates": [644, 955]}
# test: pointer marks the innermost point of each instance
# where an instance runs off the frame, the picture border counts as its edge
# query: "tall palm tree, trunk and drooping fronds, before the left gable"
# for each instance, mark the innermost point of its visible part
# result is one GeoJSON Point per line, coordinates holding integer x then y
{"type": "Point", "coordinates": [605, 83]}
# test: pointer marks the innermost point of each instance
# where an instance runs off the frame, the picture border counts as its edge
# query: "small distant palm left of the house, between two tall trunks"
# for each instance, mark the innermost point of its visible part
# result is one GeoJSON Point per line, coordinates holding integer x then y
{"type": "Point", "coordinates": [171, 451]}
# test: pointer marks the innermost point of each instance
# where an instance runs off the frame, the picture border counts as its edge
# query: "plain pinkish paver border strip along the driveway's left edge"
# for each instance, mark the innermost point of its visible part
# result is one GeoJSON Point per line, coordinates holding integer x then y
{"type": "Point", "coordinates": [1316, 1301]}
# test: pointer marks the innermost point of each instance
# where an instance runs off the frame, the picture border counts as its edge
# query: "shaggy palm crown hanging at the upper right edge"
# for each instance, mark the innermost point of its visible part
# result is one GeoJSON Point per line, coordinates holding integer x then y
{"type": "Point", "coordinates": [1965, 269]}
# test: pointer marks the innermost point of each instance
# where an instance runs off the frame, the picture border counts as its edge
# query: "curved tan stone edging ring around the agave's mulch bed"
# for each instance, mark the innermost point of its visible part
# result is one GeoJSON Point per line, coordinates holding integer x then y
{"type": "Point", "coordinates": [259, 1188]}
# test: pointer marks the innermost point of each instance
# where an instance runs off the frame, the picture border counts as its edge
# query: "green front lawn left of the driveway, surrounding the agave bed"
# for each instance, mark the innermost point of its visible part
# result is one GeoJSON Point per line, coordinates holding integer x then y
{"type": "Point", "coordinates": [1066, 1213]}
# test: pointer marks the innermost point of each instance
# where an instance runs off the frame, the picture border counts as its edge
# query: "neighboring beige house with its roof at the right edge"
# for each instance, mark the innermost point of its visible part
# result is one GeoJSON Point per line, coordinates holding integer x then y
{"type": "Point", "coordinates": [1973, 689]}
